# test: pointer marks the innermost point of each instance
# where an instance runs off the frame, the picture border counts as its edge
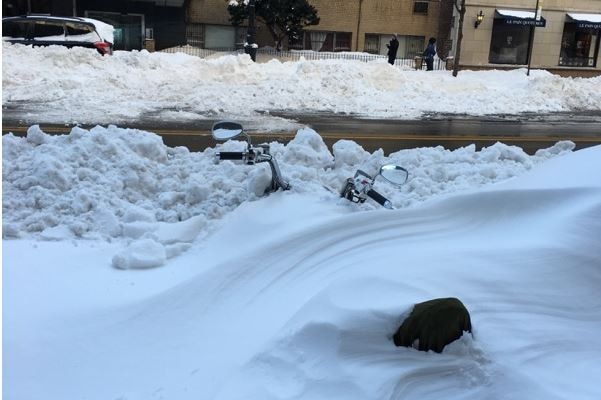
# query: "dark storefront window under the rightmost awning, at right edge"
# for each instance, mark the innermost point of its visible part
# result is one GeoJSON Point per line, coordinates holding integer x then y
{"type": "Point", "coordinates": [579, 46]}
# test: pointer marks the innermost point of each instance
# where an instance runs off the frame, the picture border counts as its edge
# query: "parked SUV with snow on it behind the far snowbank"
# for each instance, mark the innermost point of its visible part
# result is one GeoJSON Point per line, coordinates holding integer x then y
{"type": "Point", "coordinates": [46, 30]}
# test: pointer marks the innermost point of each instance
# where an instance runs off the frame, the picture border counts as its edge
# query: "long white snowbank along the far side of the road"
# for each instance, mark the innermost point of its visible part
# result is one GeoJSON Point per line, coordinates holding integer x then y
{"type": "Point", "coordinates": [79, 85]}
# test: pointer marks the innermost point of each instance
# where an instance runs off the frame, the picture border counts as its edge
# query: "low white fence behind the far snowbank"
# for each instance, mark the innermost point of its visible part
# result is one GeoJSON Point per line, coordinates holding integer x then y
{"type": "Point", "coordinates": [266, 54]}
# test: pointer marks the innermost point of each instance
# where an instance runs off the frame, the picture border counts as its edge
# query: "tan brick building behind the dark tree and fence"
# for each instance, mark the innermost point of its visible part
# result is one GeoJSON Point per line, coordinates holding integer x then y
{"type": "Point", "coordinates": [345, 25]}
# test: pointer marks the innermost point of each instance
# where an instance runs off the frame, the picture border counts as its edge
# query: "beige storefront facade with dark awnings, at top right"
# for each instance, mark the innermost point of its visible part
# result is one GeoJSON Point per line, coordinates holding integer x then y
{"type": "Point", "coordinates": [562, 36]}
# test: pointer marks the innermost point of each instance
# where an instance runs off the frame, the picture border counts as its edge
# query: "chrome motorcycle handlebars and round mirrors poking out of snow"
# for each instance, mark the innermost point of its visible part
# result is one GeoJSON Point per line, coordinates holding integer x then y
{"type": "Point", "coordinates": [356, 189]}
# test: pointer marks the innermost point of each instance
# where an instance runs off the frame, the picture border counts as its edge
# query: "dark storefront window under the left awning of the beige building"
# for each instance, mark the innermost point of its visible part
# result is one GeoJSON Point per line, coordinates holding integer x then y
{"type": "Point", "coordinates": [509, 43]}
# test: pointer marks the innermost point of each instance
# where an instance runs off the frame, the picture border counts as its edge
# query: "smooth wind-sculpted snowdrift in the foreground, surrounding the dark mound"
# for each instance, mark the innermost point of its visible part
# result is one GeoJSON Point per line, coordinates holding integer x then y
{"type": "Point", "coordinates": [295, 297]}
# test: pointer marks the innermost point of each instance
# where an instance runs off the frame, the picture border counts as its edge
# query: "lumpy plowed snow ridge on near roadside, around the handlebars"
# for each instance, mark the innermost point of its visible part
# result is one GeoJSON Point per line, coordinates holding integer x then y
{"type": "Point", "coordinates": [110, 182]}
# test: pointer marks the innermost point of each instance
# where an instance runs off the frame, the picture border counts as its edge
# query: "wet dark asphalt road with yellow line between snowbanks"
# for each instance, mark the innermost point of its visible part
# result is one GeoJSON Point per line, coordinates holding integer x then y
{"type": "Point", "coordinates": [529, 131]}
